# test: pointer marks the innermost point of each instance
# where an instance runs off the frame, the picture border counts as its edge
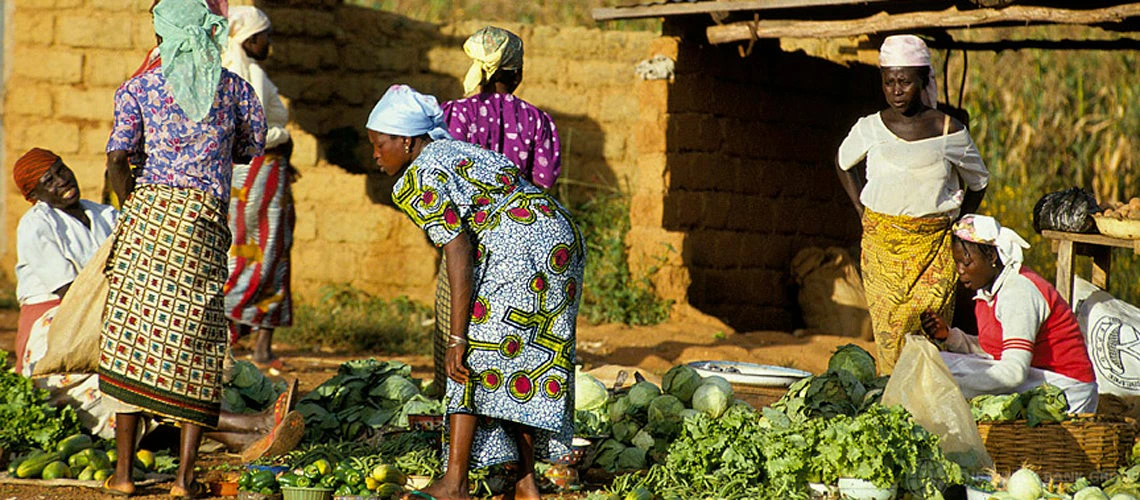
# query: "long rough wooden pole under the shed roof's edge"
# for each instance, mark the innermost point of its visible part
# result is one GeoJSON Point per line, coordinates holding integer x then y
{"type": "Point", "coordinates": [884, 22]}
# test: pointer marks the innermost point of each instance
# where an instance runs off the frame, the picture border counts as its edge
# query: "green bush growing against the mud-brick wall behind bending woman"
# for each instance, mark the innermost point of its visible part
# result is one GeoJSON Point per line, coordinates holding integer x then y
{"type": "Point", "coordinates": [612, 293]}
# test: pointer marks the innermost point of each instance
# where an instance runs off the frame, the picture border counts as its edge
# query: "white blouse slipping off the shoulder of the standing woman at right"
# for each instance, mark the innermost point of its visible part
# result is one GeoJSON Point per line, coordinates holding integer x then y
{"type": "Point", "coordinates": [919, 178]}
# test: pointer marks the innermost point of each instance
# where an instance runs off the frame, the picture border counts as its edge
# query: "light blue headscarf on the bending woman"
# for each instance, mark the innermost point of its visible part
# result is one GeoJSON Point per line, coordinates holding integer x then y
{"type": "Point", "coordinates": [406, 113]}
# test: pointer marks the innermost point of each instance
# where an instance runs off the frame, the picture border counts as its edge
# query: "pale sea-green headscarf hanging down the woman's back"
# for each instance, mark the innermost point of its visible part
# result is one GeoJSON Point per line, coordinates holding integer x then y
{"type": "Point", "coordinates": [192, 43]}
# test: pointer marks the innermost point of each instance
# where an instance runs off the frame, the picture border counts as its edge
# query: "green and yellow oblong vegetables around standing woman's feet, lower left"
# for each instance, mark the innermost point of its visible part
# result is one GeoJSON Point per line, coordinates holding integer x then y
{"type": "Point", "coordinates": [78, 457]}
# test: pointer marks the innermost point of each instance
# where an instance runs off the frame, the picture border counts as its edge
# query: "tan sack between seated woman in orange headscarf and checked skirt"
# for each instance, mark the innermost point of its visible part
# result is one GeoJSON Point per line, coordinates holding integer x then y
{"type": "Point", "coordinates": [74, 339]}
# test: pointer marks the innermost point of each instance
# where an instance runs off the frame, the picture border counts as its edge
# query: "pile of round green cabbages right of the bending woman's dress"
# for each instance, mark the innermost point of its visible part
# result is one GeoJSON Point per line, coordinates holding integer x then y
{"type": "Point", "coordinates": [644, 422]}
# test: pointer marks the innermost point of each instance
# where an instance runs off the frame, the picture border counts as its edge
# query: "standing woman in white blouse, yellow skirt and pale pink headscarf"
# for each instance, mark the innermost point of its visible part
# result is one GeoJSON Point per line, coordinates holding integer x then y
{"type": "Point", "coordinates": [923, 171]}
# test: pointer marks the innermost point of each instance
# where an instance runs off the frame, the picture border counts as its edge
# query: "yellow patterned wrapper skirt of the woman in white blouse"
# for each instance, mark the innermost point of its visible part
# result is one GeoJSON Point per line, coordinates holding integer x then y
{"type": "Point", "coordinates": [908, 268]}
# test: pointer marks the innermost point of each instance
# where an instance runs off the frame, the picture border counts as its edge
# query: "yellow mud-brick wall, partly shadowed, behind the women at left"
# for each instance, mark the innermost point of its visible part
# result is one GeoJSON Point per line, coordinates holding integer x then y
{"type": "Point", "coordinates": [332, 62]}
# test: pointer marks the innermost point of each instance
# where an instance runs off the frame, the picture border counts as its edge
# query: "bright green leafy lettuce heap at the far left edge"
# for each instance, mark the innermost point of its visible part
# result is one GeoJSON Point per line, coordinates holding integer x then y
{"type": "Point", "coordinates": [29, 421]}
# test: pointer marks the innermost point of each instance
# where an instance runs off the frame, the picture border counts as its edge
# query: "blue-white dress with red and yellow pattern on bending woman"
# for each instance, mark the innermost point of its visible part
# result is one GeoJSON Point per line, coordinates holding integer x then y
{"type": "Point", "coordinates": [528, 268]}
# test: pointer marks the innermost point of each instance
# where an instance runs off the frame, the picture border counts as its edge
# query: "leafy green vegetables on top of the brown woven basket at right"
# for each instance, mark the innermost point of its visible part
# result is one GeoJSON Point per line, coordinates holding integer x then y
{"type": "Point", "coordinates": [1043, 404]}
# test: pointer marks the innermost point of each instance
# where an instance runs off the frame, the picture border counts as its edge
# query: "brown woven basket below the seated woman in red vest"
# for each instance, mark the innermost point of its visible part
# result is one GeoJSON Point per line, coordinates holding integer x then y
{"type": "Point", "coordinates": [1081, 447]}
